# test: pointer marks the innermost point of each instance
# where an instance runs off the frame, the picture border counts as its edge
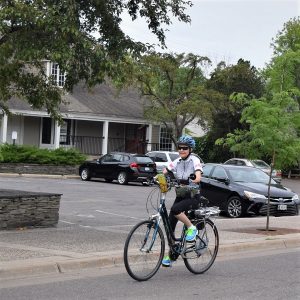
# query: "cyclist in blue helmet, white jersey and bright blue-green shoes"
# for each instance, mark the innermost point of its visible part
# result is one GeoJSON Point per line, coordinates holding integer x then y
{"type": "Point", "coordinates": [184, 166]}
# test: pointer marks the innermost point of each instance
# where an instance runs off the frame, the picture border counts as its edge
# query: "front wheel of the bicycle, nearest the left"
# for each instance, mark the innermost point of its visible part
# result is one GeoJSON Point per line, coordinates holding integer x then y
{"type": "Point", "coordinates": [144, 250]}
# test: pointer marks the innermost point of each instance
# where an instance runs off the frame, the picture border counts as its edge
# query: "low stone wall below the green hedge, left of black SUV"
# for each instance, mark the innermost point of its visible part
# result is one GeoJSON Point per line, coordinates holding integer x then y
{"type": "Point", "coordinates": [20, 168]}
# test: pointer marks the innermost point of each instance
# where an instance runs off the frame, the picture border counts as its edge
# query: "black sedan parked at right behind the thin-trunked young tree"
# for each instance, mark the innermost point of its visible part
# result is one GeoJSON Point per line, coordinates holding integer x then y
{"type": "Point", "coordinates": [244, 190]}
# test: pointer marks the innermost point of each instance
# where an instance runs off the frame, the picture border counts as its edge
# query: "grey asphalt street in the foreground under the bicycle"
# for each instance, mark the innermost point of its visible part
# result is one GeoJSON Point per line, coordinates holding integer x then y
{"type": "Point", "coordinates": [264, 276]}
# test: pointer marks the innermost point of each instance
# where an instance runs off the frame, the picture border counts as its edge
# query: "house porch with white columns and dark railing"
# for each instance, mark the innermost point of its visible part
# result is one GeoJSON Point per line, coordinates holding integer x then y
{"type": "Point", "coordinates": [90, 137]}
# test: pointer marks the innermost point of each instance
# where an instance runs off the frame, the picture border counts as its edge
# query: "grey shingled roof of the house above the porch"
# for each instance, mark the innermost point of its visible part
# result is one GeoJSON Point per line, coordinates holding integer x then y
{"type": "Point", "coordinates": [101, 101]}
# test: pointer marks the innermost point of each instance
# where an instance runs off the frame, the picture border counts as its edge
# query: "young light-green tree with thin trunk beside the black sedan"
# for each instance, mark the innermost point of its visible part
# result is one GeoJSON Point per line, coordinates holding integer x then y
{"type": "Point", "coordinates": [274, 132]}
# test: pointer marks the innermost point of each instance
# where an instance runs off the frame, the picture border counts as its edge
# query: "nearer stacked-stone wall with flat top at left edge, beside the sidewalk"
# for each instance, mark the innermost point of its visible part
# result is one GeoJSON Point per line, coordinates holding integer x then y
{"type": "Point", "coordinates": [28, 209]}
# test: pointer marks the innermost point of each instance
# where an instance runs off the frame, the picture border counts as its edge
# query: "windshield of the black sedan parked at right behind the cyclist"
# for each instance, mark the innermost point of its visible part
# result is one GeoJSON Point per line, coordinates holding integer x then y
{"type": "Point", "coordinates": [249, 175]}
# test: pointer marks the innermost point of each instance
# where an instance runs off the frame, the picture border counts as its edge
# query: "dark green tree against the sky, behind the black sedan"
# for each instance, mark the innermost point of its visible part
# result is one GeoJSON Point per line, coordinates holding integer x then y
{"type": "Point", "coordinates": [226, 114]}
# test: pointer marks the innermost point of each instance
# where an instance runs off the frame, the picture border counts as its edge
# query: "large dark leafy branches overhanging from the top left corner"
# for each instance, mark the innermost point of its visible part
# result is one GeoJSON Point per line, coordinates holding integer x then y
{"type": "Point", "coordinates": [64, 32]}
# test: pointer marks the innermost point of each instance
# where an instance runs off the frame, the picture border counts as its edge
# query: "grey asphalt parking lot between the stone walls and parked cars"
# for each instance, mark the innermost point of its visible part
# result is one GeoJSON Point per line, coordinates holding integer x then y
{"type": "Point", "coordinates": [97, 203]}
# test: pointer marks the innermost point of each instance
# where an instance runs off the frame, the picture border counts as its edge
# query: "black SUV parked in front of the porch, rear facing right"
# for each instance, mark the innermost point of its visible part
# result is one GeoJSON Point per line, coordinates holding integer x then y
{"type": "Point", "coordinates": [120, 166]}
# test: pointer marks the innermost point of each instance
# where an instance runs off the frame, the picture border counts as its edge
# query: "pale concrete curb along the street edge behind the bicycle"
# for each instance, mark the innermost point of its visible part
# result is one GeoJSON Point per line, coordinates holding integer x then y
{"type": "Point", "coordinates": [60, 266]}
